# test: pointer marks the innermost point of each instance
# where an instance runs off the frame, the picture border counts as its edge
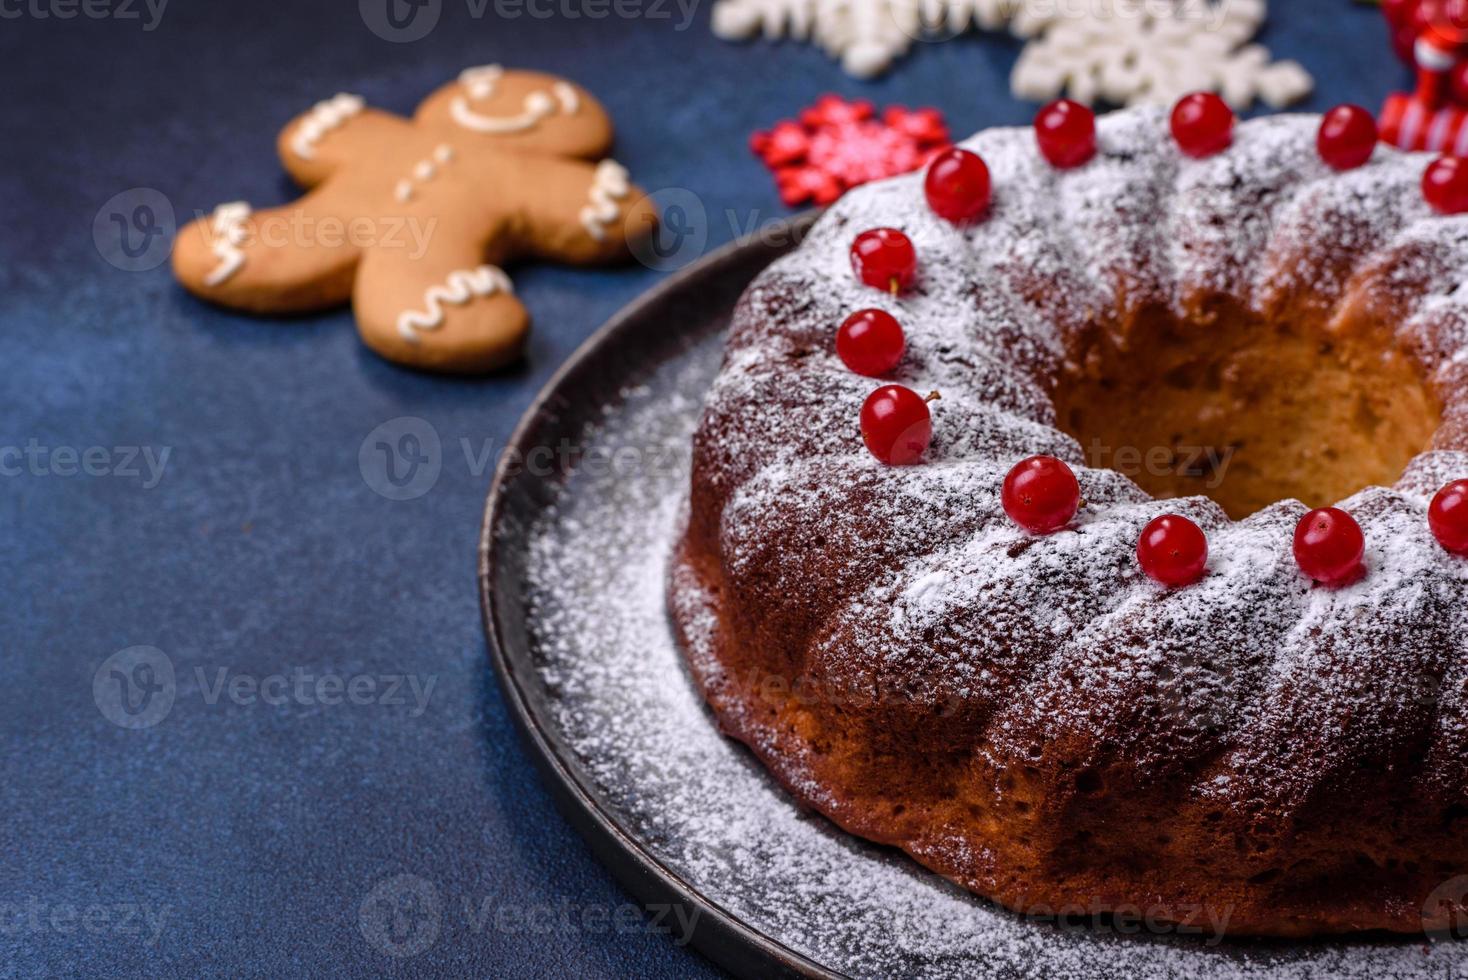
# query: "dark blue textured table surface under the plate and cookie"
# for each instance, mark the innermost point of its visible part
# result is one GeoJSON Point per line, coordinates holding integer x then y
{"type": "Point", "coordinates": [240, 837]}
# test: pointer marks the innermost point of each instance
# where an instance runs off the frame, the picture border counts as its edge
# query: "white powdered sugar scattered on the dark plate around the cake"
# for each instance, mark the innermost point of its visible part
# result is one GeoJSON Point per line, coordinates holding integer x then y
{"type": "Point", "coordinates": [700, 805]}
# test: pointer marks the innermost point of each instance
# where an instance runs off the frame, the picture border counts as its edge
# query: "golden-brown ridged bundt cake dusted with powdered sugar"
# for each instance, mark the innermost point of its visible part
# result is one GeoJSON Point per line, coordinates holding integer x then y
{"type": "Point", "coordinates": [1234, 340]}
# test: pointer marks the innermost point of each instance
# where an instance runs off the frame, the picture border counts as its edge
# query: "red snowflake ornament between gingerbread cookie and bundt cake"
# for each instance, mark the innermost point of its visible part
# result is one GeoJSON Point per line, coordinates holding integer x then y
{"type": "Point", "coordinates": [839, 145]}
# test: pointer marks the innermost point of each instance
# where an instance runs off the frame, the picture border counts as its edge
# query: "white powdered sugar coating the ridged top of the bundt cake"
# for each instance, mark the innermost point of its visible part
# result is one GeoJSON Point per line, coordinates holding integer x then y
{"type": "Point", "coordinates": [986, 325]}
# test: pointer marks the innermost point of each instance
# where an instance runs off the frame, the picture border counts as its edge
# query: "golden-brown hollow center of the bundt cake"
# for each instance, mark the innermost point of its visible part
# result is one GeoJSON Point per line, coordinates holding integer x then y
{"type": "Point", "coordinates": [1247, 413]}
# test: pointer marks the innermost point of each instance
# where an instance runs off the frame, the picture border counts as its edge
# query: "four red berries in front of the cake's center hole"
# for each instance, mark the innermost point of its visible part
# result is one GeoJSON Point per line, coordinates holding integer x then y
{"type": "Point", "coordinates": [1042, 495]}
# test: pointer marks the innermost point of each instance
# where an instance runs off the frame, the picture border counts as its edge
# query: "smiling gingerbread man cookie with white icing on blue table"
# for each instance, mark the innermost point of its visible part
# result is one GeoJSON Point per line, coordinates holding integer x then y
{"type": "Point", "coordinates": [410, 221]}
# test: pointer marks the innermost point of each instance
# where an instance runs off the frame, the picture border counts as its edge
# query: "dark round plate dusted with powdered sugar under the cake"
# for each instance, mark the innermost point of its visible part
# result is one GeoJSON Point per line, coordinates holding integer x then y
{"type": "Point", "coordinates": [578, 532]}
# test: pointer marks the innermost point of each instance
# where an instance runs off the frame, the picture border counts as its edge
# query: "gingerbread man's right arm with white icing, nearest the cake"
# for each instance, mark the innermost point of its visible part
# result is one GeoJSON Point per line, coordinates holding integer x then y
{"type": "Point", "coordinates": [576, 212]}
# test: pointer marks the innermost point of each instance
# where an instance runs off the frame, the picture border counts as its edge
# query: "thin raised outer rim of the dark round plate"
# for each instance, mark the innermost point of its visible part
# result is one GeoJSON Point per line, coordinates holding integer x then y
{"type": "Point", "coordinates": [732, 944]}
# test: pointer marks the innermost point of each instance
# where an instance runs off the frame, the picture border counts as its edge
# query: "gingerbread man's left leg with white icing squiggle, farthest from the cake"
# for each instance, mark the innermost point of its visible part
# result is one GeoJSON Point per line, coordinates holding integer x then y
{"type": "Point", "coordinates": [293, 259]}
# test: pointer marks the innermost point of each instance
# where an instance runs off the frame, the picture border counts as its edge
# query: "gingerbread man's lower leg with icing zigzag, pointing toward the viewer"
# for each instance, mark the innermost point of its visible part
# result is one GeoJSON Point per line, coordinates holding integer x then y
{"type": "Point", "coordinates": [447, 310]}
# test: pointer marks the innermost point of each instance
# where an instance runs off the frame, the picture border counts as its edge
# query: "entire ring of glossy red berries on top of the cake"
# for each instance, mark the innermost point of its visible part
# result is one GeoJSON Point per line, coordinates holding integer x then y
{"type": "Point", "coordinates": [1042, 494]}
